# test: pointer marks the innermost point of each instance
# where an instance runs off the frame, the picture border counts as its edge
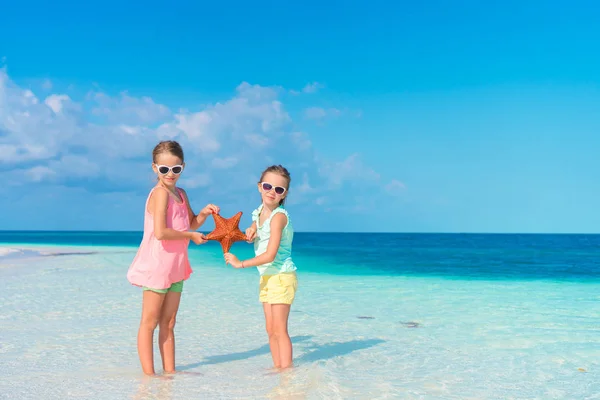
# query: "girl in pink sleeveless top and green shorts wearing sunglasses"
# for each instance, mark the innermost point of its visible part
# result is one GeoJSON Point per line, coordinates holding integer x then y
{"type": "Point", "coordinates": [161, 263]}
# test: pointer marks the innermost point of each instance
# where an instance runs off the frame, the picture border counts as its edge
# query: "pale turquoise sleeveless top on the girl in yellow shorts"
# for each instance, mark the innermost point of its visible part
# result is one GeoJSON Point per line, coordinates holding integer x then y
{"type": "Point", "coordinates": [283, 259]}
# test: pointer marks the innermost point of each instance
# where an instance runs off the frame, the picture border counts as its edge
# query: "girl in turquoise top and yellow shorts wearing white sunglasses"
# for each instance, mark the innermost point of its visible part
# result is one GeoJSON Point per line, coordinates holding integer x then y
{"type": "Point", "coordinates": [272, 234]}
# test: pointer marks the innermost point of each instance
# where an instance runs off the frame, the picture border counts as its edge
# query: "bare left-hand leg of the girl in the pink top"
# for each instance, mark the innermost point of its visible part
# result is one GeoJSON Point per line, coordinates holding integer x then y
{"type": "Point", "coordinates": [151, 306]}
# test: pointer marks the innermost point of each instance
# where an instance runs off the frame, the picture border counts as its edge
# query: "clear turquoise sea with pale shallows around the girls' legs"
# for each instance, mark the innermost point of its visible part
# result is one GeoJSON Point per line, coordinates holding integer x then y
{"type": "Point", "coordinates": [377, 316]}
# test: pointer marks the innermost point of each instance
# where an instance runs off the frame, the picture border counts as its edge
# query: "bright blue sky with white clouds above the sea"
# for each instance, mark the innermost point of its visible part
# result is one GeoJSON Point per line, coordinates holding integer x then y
{"type": "Point", "coordinates": [444, 117]}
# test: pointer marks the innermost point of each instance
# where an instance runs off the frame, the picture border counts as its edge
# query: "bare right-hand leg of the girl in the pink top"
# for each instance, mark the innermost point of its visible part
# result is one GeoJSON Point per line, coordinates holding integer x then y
{"type": "Point", "coordinates": [166, 334]}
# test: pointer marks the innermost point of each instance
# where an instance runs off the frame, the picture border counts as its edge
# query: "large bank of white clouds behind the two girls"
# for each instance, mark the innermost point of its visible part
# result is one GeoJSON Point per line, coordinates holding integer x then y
{"type": "Point", "coordinates": [104, 143]}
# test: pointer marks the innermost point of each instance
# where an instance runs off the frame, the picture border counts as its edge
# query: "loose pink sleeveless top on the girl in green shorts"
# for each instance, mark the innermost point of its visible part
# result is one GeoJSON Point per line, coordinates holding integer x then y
{"type": "Point", "coordinates": [160, 263]}
